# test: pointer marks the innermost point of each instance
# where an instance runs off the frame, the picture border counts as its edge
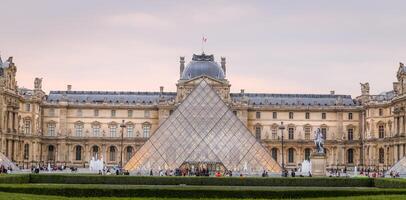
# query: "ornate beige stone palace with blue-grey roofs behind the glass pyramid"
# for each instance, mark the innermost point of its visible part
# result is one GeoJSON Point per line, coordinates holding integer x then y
{"type": "Point", "coordinates": [70, 127]}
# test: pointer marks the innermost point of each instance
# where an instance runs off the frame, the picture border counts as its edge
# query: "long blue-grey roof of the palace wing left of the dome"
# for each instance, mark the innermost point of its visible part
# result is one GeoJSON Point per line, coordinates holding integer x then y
{"type": "Point", "coordinates": [110, 97]}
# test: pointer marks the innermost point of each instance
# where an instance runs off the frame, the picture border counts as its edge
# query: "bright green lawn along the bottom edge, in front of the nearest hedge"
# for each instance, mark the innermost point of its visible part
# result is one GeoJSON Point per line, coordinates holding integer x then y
{"type": "Point", "coordinates": [13, 196]}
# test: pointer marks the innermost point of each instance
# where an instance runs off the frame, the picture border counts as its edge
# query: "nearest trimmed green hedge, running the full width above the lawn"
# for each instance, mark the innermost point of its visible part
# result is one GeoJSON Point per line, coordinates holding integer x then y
{"type": "Point", "coordinates": [191, 191]}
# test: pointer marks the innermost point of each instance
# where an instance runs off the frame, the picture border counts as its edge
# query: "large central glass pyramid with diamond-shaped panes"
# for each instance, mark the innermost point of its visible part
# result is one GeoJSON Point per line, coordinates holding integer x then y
{"type": "Point", "coordinates": [202, 133]}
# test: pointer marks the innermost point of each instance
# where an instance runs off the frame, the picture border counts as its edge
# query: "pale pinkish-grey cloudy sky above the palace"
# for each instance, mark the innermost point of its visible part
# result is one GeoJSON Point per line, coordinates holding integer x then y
{"type": "Point", "coordinates": [271, 46]}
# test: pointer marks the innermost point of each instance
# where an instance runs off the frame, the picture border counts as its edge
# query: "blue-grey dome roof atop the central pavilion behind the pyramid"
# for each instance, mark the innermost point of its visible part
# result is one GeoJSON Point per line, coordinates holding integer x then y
{"type": "Point", "coordinates": [202, 65]}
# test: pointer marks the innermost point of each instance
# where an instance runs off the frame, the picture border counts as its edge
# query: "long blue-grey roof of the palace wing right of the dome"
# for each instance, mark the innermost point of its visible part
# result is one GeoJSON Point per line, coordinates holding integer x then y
{"type": "Point", "coordinates": [295, 99]}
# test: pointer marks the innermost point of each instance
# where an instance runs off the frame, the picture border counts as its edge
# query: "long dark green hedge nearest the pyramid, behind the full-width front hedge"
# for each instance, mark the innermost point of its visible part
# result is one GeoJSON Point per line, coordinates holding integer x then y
{"type": "Point", "coordinates": [224, 181]}
